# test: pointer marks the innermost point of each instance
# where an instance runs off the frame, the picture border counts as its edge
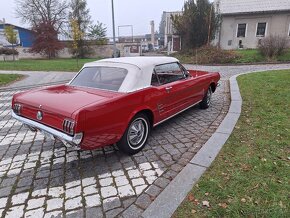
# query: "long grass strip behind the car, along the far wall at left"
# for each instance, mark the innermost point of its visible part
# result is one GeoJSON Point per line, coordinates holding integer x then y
{"type": "Point", "coordinates": [45, 65]}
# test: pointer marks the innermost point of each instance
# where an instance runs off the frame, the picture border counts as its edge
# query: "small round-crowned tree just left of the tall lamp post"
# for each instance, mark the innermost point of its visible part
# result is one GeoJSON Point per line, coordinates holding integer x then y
{"type": "Point", "coordinates": [98, 33]}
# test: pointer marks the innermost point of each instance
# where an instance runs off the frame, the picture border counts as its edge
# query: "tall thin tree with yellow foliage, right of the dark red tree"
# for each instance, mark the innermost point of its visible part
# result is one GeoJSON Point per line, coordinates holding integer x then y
{"type": "Point", "coordinates": [80, 14]}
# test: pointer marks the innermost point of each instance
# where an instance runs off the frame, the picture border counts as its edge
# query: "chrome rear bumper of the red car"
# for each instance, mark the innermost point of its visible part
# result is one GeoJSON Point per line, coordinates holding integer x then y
{"type": "Point", "coordinates": [40, 126]}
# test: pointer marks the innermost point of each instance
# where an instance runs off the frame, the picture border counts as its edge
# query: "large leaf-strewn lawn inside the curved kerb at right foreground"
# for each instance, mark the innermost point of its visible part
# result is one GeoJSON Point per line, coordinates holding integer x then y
{"type": "Point", "coordinates": [250, 177]}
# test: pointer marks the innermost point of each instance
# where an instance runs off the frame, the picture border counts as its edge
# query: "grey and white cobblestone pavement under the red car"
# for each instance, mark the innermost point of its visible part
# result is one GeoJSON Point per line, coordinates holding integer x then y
{"type": "Point", "coordinates": [42, 178]}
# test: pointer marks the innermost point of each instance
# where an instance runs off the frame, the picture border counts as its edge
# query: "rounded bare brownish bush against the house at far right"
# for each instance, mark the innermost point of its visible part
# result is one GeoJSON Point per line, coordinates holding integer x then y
{"type": "Point", "coordinates": [273, 46]}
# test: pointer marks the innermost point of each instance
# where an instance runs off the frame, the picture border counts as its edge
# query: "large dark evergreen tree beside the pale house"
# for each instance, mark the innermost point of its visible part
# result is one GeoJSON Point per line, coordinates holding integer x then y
{"type": "Point", "coordinates": [197, 25]}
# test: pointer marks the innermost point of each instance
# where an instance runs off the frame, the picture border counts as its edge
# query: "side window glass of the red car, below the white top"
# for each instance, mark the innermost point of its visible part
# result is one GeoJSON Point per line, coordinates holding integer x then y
{"type": "Point", "coordinates": [167, 73]}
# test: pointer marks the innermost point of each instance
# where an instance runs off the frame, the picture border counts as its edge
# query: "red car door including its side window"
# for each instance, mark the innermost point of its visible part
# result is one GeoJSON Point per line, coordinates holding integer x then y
{"type": "Point", "coordinates": [173, 85]}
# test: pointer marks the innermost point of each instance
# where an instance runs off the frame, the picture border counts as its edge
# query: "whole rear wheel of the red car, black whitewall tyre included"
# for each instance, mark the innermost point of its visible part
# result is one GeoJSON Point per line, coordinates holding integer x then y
{"type": "Point", "coordinates": [136, 135]}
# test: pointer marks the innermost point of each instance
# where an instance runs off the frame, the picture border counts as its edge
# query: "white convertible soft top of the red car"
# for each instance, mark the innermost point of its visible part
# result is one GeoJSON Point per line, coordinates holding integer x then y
{"type": "Point", "coordinates": [139, 70]}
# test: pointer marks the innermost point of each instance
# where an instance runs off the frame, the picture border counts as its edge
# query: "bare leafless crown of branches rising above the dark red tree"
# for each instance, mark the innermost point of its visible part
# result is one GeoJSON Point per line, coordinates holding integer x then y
{"type": "Point", "coordinates": [34, 12]}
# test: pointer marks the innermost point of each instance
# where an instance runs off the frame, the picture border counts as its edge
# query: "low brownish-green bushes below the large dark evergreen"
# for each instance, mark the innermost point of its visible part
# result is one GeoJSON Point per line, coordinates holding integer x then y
{"type": "Point", "coordinates": [207, 55]}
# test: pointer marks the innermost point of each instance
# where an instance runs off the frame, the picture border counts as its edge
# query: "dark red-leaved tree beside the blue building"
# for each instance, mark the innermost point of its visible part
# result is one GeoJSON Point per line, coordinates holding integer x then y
{"type": "Point", "coordinates": [46, 41]}
